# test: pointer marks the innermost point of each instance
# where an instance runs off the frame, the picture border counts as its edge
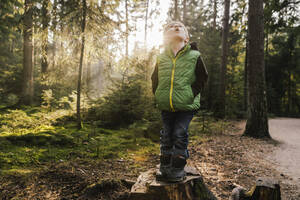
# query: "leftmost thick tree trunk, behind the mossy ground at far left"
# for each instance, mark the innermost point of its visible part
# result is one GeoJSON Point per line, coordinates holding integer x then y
{"type": "Point", "coordinates": [28, 88]}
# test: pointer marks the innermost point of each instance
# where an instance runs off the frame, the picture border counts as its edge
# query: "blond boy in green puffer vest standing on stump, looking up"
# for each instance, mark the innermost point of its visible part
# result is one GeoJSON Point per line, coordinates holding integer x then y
{"type": "Point", "coordinates": [178, 78]}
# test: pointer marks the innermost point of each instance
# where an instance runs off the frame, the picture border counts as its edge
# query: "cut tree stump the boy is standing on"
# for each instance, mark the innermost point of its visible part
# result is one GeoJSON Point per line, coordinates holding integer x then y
{"type": "Point", "coordinates": [192, 188]}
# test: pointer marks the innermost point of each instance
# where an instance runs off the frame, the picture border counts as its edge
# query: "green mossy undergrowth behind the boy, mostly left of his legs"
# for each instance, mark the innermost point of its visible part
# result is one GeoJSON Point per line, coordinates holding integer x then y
{"type": "Point", "coordinates": [32, 138]}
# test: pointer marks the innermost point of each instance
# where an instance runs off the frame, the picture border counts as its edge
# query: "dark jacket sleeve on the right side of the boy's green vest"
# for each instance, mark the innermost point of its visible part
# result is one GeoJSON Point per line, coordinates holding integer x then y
{"type": "Point", "coordinates": [201, 77]}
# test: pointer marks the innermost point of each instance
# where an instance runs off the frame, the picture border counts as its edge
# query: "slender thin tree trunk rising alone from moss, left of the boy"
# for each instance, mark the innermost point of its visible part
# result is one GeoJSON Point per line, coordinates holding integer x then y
{"type": "Point", "coordinates": [80, 64]}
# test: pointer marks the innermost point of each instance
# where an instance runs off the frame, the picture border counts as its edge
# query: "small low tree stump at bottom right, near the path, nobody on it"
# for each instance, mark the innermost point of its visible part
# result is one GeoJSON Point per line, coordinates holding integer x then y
{"type": "Point", "coordinates": [264, 189]}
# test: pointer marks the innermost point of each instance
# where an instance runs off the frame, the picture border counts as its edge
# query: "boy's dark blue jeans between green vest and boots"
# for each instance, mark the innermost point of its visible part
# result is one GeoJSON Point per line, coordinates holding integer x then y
{"type": "Point", "coordinates": [174, 136]}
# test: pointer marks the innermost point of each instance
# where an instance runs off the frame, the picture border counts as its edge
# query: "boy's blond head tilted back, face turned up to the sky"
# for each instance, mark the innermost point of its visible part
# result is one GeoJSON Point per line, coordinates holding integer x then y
{"type": "Point", "coordinates": [175, 31]}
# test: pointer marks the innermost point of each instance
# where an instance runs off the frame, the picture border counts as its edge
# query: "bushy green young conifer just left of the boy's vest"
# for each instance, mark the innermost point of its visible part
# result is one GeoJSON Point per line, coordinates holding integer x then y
{"type": "Point", "coordinates": [129, 100]}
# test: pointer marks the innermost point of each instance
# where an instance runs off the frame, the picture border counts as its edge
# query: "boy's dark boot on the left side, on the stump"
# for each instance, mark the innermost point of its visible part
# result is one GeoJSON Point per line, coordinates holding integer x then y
{"type": "Point", "coordinates": [164, 168]}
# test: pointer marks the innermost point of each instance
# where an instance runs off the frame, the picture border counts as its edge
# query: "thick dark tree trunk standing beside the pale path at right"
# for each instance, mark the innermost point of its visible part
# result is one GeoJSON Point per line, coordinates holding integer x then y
{"type": "Point", "coordinates": [257, 122]}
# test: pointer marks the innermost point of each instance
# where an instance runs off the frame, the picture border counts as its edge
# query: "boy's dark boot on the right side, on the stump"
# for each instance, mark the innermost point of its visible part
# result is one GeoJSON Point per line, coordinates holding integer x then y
{"type": "Point", "coordinates": [177, 172]}
